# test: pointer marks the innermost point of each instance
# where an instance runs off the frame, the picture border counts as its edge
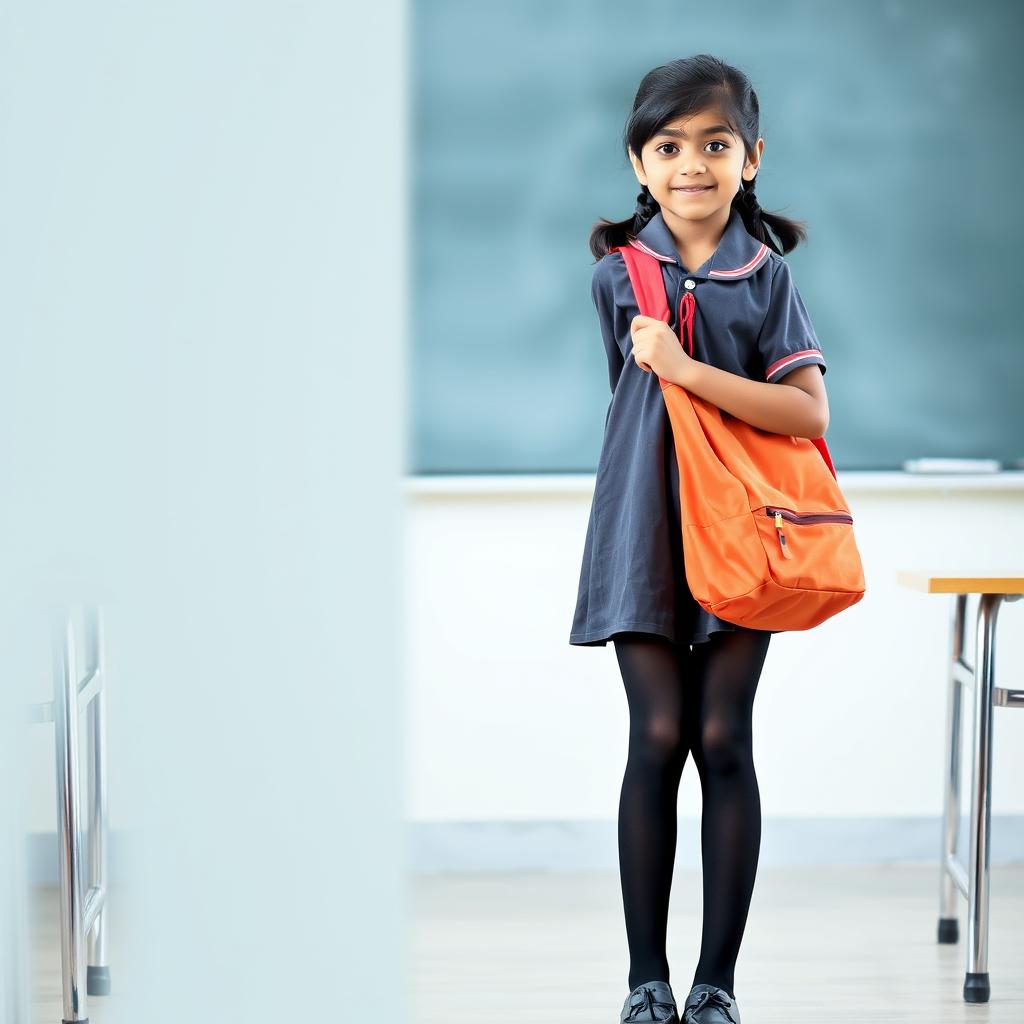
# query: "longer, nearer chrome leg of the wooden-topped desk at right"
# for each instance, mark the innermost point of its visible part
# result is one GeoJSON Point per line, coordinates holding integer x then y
{"type": "Point", "coordinates": [976, 985]}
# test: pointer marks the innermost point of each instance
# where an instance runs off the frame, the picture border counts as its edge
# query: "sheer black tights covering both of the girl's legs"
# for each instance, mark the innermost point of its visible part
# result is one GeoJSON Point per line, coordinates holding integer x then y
{"type": "Point", "coordinates": [682, 701]}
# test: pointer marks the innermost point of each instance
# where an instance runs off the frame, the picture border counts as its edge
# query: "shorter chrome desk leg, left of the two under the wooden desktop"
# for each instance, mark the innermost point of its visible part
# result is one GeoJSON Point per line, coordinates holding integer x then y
{"type": "Point", "coordinates": [949, 923]}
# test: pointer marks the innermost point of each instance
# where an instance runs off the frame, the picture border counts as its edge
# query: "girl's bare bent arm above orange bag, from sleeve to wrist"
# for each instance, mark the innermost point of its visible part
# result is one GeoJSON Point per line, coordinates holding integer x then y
{"type": "Point", "coordinates": [795, 405]}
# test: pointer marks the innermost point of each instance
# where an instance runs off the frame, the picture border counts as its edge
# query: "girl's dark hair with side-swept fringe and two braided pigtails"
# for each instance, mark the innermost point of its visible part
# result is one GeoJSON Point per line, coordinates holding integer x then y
{"type": "Point", "coordinates": [682, 89]}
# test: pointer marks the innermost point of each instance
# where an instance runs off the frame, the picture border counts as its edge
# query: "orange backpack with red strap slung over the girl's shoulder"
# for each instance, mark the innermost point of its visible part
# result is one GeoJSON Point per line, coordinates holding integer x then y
{"type": "Point", "coordinates": [767, 536]}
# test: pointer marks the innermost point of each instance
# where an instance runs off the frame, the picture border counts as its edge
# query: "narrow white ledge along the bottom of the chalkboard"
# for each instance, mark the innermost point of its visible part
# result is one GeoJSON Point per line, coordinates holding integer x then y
{"type": "Point", "coordinates": [852, 482]}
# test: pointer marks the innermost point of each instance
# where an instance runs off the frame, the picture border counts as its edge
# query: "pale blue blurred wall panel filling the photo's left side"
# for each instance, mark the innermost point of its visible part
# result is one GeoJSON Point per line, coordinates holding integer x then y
{"type": "Point", "coordinates": [185, 319]}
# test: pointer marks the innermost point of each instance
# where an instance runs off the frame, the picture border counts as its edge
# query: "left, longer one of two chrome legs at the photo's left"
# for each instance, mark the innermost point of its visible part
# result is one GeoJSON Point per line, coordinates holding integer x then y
{"type": "Point", "coordinates": [66, 721]}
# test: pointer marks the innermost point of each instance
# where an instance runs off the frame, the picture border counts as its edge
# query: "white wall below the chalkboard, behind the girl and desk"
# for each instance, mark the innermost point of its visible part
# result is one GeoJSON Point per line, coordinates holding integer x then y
{"type": "Point", "coordinates": [506, 721]}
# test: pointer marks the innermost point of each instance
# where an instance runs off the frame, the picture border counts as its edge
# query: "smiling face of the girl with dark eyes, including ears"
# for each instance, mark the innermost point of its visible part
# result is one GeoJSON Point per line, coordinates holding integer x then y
{"type": "Point", "coordinates": [700, 151]}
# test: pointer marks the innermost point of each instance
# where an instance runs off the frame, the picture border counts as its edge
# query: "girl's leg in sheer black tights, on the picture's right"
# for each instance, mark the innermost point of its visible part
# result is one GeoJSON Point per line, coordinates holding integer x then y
{"type": "Point", "coordinates": [728, 670]}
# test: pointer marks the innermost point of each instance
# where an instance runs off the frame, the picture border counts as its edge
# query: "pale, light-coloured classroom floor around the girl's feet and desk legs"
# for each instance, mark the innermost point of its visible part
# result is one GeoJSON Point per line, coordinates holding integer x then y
{"type": "Point", "coordinates": [832, 945]}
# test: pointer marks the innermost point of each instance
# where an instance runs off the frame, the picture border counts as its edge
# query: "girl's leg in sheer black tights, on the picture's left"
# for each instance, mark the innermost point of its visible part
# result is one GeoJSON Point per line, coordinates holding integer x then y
{"type": "Point", "coordinates": [654, 671]}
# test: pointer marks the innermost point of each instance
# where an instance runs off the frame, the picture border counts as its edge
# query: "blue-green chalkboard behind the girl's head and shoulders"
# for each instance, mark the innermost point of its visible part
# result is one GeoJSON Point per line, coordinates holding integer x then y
{"type": "Point", "coordinates": [891, 129]}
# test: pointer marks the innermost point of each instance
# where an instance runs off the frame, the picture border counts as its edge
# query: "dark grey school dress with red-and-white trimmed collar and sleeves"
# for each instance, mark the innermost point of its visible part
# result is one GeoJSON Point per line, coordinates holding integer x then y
{"type": "Point", "coordinates": [750, 320]}
